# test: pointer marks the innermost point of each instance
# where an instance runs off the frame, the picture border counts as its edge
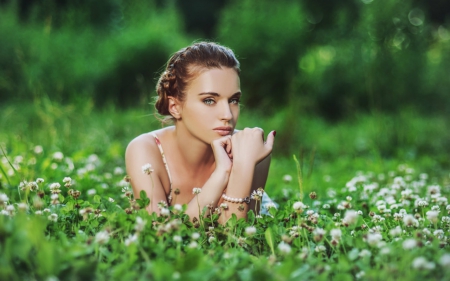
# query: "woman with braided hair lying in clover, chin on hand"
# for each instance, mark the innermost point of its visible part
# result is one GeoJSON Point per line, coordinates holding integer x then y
{"type": "Point", "coordinates": [200, 91]}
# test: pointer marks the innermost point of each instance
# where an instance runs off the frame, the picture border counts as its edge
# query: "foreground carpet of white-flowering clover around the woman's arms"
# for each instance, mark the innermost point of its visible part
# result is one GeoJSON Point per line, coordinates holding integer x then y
{"type": "Point", "coordinates": [73, 217]}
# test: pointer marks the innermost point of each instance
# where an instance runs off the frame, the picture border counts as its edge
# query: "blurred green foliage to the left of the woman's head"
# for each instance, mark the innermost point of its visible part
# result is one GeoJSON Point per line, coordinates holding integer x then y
{"type": "Point", "coordinates": [68, 58]}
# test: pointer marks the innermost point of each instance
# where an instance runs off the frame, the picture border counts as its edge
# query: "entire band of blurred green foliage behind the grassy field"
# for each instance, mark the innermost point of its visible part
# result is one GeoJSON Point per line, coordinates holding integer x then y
{"type": "Point", "coordinates": [331, 59]}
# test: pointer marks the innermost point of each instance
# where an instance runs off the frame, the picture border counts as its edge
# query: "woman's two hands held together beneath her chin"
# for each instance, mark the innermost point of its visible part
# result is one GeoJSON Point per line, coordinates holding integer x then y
{"type": "Point", "coordinates": [245, 147]}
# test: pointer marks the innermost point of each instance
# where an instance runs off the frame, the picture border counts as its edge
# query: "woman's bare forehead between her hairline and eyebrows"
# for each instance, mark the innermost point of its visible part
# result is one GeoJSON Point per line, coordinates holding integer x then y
{"type": "Point", "coordinates": [218, 80]}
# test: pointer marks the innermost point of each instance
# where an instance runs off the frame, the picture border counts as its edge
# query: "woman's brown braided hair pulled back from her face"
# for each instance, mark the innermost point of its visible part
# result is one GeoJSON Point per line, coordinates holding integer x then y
{"type": "Point", "coordinates": [185, 64]}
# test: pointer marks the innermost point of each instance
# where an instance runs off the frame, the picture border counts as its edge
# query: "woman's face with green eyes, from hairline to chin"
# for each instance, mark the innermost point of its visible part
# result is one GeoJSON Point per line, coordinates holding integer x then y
{"type": "Point", "coordinates": [211, 106]}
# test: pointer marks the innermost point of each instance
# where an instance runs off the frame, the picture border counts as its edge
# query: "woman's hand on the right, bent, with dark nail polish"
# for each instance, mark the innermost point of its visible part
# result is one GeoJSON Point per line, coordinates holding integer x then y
{"type": "Point", "coordinates": [248, 145]}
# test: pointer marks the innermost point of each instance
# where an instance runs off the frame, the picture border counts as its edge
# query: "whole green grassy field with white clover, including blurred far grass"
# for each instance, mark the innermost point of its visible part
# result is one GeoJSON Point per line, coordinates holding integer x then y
{"type": "Point", "coordinates": [103, 234]}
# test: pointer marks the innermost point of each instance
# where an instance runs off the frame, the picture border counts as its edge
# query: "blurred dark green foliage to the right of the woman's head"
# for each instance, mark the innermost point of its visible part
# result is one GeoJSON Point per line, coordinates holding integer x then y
{"type": "Point", "coordinates": [379, 56]}
